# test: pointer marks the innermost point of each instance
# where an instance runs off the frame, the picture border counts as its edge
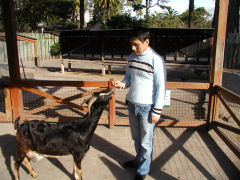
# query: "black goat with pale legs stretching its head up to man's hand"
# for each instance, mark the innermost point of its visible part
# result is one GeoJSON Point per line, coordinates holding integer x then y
{"type": "Point", "coordinates": [60, 138]}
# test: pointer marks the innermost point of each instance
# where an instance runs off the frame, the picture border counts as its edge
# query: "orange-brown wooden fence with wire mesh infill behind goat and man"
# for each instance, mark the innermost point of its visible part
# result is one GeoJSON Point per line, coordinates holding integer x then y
{"type": "Point", "coordinates": [38, 106]}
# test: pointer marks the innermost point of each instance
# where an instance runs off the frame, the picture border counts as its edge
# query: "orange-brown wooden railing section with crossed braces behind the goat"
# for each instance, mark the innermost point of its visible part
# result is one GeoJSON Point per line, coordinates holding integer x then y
{"type": "Point", "coordinates": [27, 86]}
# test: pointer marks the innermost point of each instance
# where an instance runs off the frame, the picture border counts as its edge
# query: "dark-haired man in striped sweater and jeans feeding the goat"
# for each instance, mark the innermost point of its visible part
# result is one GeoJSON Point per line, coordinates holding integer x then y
{"type": "Point", "coordinates": [146, 77]}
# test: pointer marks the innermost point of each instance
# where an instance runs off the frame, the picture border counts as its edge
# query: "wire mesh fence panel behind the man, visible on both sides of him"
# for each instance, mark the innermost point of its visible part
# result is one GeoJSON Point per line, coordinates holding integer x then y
{"type": "Point", "coordinates": [185, 105]}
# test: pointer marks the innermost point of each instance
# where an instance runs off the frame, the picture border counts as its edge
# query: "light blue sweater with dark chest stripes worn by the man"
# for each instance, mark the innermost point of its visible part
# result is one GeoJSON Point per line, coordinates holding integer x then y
{"type": "Point", "coordinates": [146, 77]}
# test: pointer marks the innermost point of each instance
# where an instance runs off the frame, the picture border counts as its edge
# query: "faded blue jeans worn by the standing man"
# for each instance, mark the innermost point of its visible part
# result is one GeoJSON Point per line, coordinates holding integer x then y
{"type": "Point", "coordinates": [142, 133]}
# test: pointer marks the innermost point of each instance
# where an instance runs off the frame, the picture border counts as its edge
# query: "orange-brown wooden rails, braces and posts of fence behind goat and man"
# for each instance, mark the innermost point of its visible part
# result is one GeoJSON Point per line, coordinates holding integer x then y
{"type": "Point", "coordinates": [28, 86]}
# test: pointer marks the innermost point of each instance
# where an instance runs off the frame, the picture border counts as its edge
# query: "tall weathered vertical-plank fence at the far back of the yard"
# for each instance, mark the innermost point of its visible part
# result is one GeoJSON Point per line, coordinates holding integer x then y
{"type": "Point", "coordinates": [46, 40]}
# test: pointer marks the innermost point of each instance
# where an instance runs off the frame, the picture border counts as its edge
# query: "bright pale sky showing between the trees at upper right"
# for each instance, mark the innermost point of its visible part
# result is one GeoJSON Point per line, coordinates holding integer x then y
{"type": "Point", "coordinates": [182, 5]}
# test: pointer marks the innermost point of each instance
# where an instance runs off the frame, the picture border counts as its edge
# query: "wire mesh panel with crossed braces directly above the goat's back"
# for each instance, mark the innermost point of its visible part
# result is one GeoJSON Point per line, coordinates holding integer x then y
{"type": "Point", "coordinates": [36, 106]}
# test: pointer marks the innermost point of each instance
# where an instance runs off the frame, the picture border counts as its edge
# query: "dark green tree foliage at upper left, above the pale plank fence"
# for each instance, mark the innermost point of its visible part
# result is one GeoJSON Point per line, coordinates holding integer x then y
{"type": "Point", "coordinates": [55, 13]}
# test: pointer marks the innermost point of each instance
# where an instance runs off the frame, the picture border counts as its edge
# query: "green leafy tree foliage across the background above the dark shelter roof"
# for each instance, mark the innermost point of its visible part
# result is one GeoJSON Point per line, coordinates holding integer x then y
{"type": "Point", "coordinates": [64, 14]}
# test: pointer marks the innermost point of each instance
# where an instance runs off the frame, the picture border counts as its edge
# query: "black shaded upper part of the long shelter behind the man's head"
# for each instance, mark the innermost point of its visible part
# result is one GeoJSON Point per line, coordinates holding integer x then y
{"type": "Point", "coordinates": [191, 46]}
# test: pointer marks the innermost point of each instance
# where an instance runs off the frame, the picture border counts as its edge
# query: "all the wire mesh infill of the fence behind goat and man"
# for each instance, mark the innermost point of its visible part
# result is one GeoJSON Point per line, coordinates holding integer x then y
{"type": "Point", "coordinates": [185, 105]}
